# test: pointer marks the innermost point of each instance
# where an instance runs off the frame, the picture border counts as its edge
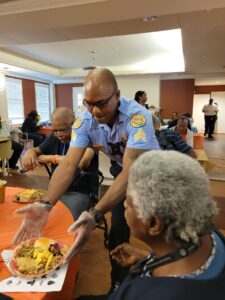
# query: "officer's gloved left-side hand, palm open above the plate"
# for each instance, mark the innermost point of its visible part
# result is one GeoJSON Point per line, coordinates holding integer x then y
{"type": "Point", "coordinates": [36, 217]}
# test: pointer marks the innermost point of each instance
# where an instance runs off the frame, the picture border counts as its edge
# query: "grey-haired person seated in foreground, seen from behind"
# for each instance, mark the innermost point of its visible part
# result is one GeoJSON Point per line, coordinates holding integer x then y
{"type": "Point", "coordinates": [169, 207]}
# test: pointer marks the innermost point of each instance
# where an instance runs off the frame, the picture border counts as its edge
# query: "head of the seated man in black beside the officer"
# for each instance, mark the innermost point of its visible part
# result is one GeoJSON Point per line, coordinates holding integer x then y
{"type": "Point", "coordinates": [62, 120]}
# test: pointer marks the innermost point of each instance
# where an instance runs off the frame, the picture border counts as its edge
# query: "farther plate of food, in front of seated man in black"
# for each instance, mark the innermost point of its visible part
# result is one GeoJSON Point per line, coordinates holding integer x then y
{"type": "Point", "coordinates": [29, 196]}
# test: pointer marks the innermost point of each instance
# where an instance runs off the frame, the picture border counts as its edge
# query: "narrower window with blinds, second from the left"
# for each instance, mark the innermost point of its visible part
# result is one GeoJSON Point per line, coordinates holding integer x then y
{"type": "Point", "coordinates": [42, 100]}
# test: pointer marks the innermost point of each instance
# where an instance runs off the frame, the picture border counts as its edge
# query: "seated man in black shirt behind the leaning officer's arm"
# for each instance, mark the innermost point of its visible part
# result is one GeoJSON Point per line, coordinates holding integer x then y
{"type": "Point", "coordinates": [53, 150]}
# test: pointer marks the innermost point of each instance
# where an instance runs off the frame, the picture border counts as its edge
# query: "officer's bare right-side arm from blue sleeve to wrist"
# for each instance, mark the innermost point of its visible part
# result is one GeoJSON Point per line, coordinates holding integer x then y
{"type": "Point", "coordinates": [117, 191]}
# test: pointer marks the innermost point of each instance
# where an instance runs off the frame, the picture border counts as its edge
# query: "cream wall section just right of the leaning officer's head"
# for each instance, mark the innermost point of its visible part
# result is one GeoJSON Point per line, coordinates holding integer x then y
{"type": "Point", "coordinates": [129, 85]}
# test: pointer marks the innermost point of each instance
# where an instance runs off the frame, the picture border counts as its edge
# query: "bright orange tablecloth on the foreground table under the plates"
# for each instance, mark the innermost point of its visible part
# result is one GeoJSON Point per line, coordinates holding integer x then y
{"type": "Point", "coordinates": [59, 220]}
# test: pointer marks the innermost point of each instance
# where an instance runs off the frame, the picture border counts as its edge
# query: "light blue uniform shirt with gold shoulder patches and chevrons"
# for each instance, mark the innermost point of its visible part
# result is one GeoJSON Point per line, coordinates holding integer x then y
{"type": "Point", "coordinates": [133, 129]}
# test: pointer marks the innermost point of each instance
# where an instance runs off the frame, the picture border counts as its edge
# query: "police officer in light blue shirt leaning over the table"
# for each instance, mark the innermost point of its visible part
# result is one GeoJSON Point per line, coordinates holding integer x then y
{"type": "Point", "coordinates": [121, 129]}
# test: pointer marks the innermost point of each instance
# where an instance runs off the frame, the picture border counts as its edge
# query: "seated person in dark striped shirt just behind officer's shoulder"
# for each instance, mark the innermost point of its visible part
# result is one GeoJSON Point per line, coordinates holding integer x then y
{"type": "Point", "coordinates": [170, 140]}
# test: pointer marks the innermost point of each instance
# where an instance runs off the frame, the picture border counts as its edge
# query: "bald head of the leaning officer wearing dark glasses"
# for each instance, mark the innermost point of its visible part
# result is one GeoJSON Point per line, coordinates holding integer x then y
{"type": "Point", "coordinates": [101, 95]}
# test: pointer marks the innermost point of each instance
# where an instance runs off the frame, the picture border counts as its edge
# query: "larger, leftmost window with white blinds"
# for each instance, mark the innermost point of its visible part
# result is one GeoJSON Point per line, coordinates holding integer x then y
{"type": "Point", "coordinates": [15, 100]}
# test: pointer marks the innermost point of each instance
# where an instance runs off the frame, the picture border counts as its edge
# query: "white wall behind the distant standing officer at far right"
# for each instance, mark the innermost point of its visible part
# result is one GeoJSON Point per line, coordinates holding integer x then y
{"type": "Point", "coordinates": [198, 116]}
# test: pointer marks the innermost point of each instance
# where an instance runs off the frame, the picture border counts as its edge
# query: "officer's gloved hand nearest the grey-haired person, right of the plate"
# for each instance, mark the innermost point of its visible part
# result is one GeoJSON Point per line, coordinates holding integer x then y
{"type": "Point", "coordinates": [83, 228]}
